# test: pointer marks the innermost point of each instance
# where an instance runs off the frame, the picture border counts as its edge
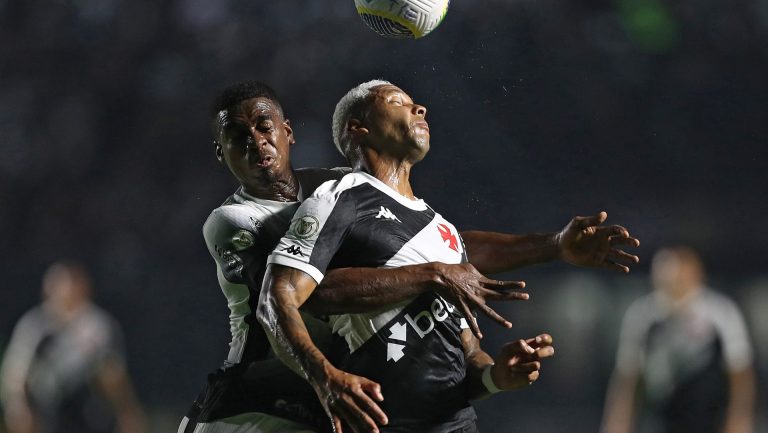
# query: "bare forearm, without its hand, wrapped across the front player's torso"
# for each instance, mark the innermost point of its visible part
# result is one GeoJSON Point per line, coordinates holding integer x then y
{"type": "Point", "coordinates": [360, 290]}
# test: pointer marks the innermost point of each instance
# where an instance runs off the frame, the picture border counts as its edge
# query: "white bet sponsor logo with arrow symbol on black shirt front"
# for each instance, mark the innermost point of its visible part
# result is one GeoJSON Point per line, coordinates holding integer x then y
{"type": "Point", "coordinates": [422, 323]}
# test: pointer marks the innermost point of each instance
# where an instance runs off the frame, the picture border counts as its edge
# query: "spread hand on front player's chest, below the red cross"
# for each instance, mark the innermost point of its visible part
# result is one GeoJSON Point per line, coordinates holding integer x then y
{"type": "Point", "coordinates": [465, 286]}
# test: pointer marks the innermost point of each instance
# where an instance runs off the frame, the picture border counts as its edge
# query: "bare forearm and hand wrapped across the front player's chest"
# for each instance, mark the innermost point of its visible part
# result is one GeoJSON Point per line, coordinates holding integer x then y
{"type": "Point", "coordinates": [355, 290]}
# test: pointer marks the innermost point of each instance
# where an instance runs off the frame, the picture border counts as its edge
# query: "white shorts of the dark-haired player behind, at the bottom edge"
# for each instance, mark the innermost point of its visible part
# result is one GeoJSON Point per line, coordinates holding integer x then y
{"type": "Point", "coordinates": [254, 422]}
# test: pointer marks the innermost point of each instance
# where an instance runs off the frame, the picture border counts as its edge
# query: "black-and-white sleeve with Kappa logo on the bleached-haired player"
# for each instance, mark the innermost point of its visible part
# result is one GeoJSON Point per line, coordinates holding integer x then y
{"type": "Point", "coordinates": [316, 232]}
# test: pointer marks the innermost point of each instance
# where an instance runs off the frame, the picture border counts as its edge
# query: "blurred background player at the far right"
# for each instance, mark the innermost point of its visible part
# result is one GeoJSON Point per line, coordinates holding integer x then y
{"type": "Point", "coordinates": [685, 348]}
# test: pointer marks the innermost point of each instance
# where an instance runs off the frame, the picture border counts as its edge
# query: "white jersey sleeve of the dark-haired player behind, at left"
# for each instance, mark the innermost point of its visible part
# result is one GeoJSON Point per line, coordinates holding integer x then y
{"type": "Point", "coordinates": [235, 242]}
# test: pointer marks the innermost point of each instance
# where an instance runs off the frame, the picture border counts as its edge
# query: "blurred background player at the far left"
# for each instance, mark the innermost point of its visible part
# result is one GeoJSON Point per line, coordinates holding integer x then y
{"type": "Point", "coordinates": [64, 370]}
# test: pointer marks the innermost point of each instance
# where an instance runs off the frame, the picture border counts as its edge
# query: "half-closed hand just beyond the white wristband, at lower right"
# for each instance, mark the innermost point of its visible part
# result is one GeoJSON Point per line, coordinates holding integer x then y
{"type": "Point", "coordinates": [518, 364]}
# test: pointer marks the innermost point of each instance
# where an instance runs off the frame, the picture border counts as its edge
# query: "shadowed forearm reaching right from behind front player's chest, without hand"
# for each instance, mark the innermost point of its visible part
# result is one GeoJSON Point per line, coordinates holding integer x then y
{"type": "Point", "coordinates": [492, 252]}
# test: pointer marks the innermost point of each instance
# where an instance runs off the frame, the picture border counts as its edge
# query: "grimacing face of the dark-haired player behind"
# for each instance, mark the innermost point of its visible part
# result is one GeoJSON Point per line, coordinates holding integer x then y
{"type": "Point", "coordinates": [254, 141]}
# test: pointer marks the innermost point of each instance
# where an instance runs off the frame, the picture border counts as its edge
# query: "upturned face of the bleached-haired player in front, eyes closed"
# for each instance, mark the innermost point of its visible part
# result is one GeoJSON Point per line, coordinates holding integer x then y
{"type": "Point", "coordinates": [397, 125]}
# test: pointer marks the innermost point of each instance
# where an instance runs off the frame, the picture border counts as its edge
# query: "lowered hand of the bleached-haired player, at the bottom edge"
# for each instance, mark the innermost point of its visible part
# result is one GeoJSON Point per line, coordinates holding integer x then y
{"type": "Point", "coordinates": [349, 400]}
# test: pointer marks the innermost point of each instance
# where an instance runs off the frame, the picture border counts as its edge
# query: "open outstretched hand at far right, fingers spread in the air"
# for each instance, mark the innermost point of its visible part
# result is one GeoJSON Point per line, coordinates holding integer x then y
{"type": "Point", "coordinates": [584, 242]}
